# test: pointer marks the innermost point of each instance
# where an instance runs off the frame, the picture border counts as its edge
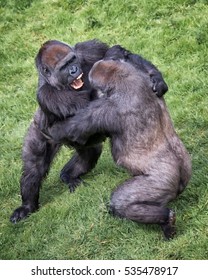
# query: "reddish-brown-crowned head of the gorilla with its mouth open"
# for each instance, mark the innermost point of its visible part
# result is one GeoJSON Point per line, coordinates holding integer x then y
{"type": "Point", "coordinates": [59, 66]}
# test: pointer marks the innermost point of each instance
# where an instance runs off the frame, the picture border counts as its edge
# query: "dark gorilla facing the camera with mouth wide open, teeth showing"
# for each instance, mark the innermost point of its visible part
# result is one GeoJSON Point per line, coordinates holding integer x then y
{"type": "Point", "coordinates": [63, 89]}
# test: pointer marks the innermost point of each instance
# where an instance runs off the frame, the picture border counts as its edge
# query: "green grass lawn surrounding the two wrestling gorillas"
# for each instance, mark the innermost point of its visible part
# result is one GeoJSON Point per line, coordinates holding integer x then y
{"type": "Point", "coordinates": [173, 35]}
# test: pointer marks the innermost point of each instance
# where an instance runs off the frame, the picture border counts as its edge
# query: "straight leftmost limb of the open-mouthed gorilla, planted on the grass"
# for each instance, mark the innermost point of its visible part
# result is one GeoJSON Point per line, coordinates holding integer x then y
{"type": "Point", "coordinates": [38, 153]}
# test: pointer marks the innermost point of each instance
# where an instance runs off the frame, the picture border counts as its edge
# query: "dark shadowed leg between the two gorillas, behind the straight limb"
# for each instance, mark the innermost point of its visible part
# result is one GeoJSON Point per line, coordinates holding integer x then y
{"type": "Point", "coordinates": [82, 162]}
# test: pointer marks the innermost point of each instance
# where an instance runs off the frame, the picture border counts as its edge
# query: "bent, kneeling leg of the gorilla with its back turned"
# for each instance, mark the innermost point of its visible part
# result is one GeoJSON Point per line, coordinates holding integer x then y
{"type": "Point", "coordinates": [139, 200]}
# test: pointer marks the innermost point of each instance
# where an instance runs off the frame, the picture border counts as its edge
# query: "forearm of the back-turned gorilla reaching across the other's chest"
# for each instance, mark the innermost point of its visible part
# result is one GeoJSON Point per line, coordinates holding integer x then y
{"type": "Point", "coordinates": [98, 117]}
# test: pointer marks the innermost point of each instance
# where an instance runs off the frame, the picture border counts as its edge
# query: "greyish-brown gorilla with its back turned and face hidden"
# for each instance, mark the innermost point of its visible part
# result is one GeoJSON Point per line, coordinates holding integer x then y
{"type": "Point", "coordinates": [143, 141]}
